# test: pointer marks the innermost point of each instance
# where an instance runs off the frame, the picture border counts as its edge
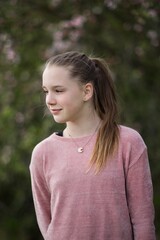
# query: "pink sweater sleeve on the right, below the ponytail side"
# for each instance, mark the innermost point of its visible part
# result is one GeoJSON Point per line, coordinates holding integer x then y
{"type": "Point", "coordinates": [140, 192]}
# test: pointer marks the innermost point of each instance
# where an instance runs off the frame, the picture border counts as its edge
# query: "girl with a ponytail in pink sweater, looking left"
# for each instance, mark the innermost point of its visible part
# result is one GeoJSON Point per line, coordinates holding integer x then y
{"type": "Point", "coordinates": [92, 181]}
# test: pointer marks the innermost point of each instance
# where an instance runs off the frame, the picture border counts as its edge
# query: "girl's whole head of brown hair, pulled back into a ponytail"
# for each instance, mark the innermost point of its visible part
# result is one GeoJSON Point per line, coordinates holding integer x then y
{"type": "Point", "coordinates": [96, 71]}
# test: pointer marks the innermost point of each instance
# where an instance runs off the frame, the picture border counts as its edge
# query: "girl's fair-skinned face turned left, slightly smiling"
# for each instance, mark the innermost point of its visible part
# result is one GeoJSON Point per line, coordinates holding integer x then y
{"type": "Point", "coordinates": [65, 96]}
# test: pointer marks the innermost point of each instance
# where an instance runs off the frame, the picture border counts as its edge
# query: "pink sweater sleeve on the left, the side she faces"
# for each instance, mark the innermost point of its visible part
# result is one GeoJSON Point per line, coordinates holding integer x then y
{"type": "Point", "coordinates": [40, 192]}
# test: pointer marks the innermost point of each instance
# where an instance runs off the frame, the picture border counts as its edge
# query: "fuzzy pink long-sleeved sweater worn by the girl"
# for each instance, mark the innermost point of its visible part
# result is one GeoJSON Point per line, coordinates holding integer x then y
{"type": "Point", "coordinates": [70, 204]}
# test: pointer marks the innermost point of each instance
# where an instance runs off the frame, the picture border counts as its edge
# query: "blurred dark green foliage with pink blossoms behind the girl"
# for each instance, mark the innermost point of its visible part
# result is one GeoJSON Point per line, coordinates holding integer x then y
{"type": "Point", "coordinates": [126, 33]}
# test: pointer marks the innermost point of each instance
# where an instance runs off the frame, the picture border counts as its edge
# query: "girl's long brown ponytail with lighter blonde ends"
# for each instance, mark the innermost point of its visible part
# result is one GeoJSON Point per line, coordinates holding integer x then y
{"type": "Point", "coordinates": [105, 103]}
